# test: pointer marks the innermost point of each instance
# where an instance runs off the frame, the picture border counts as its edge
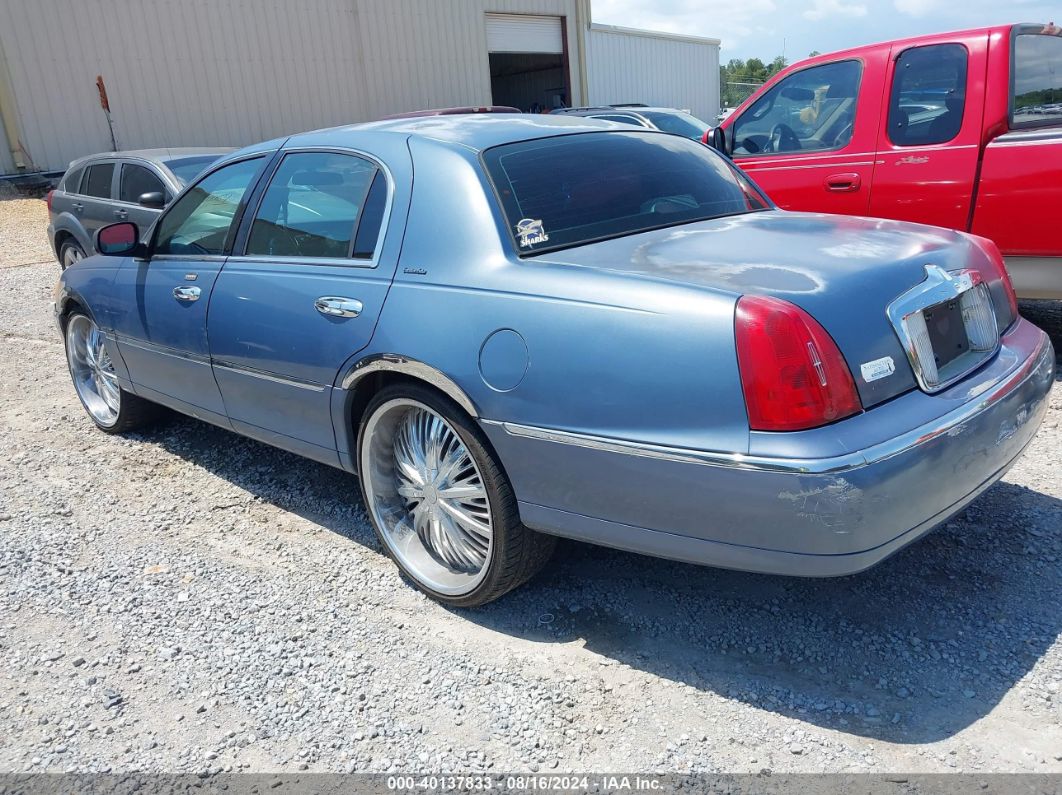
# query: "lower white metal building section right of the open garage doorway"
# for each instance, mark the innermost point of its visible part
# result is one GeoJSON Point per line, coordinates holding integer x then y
{"type": "Point", "coordinates": [656, 68]}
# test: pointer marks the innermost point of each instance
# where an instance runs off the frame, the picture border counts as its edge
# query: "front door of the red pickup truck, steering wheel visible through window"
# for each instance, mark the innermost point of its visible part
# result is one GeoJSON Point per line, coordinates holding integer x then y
{"type": "Point", "coordinates": [809, 142]}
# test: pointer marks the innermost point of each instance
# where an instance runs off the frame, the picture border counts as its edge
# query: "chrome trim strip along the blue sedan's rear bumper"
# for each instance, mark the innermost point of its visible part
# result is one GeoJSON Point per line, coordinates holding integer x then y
{"type": "Point", "coordinates": [1041, 359]}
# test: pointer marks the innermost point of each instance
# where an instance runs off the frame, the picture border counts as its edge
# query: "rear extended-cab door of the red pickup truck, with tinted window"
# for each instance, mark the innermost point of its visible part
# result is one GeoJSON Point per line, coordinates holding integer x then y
{"type": "Point", "coordinates": [930, 144]}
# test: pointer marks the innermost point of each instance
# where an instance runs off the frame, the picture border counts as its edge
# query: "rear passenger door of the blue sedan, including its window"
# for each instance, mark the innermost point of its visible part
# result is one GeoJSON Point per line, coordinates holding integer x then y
{"type": "Point", "coordinates": [303, 295]}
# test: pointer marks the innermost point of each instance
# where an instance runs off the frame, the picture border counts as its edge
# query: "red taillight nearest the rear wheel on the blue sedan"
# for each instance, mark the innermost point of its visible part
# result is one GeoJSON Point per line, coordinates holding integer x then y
{"type": "Point", "coordinates": [793, 374]}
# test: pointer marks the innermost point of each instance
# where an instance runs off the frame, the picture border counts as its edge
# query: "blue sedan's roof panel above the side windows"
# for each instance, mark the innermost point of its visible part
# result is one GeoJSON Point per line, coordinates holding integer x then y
{"type": "Point", "coordinates": [475, 132]}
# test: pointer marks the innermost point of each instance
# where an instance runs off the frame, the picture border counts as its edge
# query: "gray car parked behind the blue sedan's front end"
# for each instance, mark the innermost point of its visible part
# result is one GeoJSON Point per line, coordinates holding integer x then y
{"type": "Point", "coordinates": [118, 186]}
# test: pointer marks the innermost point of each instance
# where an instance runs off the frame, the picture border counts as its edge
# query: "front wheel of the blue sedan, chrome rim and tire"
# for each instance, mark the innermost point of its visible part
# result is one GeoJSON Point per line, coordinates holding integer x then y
{"type": "Point", "coordinates": [109, 406]}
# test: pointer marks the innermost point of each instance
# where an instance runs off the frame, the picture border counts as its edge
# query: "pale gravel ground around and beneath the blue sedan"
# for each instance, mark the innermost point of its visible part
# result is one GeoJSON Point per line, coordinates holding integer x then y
{"type": "Point", "coordinates": [186, 600]}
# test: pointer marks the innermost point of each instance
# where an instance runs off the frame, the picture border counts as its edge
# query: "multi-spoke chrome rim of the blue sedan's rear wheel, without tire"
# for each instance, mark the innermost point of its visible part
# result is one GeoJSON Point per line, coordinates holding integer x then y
{"type": "Point", "coordinates": [427, 497]}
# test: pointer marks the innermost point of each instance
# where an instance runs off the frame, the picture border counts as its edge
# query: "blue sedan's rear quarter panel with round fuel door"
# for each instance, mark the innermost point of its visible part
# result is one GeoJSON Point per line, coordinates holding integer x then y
{"type": "Point", "coordinates": [581, 351]}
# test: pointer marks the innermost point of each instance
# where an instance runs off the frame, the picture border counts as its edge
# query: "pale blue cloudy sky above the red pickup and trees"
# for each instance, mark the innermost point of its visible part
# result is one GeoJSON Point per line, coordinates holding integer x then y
{"type": "Point", "coordinates": [757, 28]}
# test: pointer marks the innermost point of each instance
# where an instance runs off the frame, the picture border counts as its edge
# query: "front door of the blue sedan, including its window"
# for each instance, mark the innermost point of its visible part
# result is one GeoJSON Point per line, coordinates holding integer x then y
{"type": "Point", "coordinates": [162, 303]}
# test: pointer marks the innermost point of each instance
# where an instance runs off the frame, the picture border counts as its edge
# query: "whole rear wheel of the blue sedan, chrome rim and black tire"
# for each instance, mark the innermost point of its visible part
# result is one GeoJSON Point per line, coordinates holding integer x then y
{"type": "Point", "coordinates": [440, 503]}
